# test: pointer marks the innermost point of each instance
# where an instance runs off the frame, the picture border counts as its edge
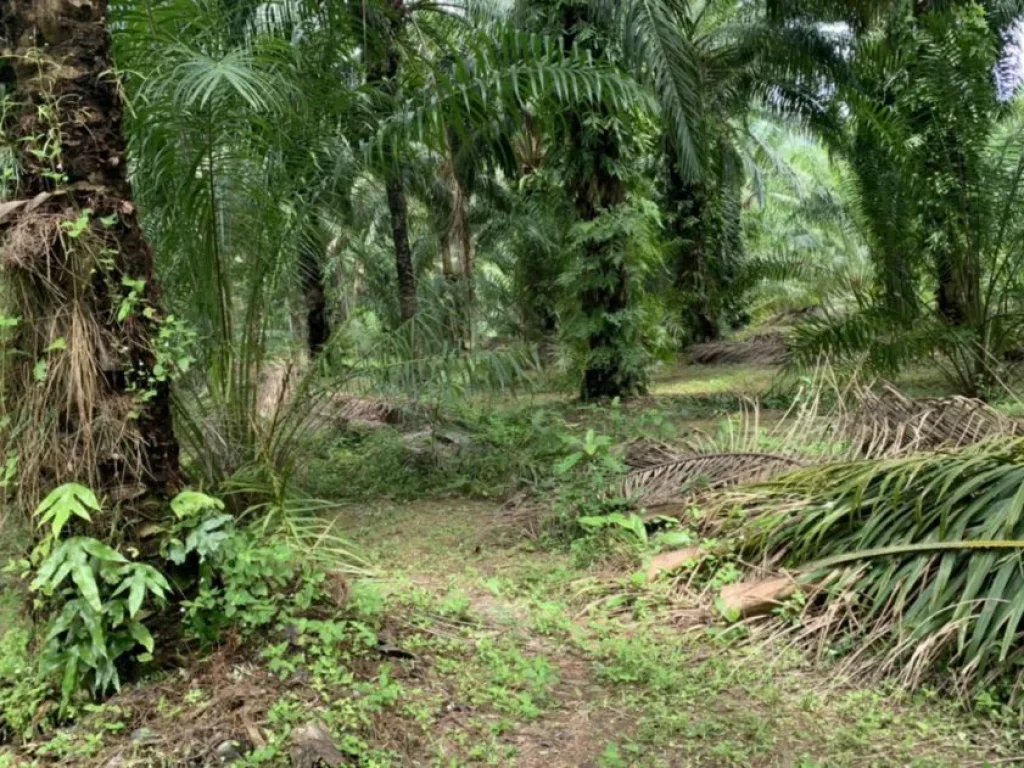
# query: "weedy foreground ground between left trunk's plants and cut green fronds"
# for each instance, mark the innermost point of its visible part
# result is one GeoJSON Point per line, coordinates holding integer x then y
{"type": "Point", "coordinates": [500, 653]}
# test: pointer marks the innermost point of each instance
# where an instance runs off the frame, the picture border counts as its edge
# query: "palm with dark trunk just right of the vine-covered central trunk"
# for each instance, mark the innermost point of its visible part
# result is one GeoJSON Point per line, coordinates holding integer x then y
{"type": "Point", "coordinates": [710, 65]}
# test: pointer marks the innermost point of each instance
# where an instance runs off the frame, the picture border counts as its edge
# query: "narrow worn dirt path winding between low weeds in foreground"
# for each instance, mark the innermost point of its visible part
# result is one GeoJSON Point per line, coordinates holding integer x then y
{"type": "Point", "coordinates": [452, 548]}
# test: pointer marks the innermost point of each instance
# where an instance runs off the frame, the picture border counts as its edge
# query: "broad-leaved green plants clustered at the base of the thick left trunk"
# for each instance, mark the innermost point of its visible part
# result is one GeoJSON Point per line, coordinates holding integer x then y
{"type": "Point", "coordinates": [101, 607]}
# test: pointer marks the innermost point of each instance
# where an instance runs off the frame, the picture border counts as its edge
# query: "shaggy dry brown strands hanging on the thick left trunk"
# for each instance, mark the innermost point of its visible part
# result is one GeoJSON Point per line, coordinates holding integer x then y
{"type": "Point", "coordinates": [64, 415]}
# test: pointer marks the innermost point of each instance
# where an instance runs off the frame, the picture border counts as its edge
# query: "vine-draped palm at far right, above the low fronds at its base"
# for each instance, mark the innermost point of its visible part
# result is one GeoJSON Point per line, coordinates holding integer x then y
{"type": "Point", "coordinates": [921, 98]}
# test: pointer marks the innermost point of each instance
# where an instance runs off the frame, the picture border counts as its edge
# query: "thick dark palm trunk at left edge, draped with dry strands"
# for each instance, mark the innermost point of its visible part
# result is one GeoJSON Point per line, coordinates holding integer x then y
{"type": "Point", "coordinates": [94, 386]}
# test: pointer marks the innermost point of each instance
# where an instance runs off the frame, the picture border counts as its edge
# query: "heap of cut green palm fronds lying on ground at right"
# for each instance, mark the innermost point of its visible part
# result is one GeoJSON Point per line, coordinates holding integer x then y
{"type": "Point", "coordinates": [929, 554]}
